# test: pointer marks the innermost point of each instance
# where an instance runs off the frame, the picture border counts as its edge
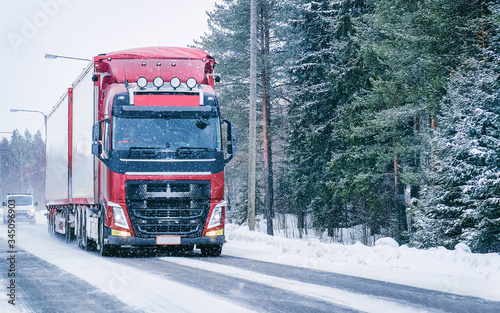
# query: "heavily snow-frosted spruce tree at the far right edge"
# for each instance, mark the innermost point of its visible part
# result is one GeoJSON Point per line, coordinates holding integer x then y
{"type": "Point", "coordinates": [462, 203]}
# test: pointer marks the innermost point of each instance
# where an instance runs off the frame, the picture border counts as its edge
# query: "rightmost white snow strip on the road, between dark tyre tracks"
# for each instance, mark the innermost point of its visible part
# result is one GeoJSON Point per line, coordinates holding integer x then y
{"type": "Point", "coordinates": [325, 293]}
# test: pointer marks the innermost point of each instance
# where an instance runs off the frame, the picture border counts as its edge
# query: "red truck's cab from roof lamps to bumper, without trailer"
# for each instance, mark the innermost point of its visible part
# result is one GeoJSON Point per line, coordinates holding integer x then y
{"type": "Point", "coordinates": [162, 146]}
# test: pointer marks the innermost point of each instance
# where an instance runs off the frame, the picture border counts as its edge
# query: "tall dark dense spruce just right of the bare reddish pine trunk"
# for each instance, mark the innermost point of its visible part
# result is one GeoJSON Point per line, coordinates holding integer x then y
{"type": "Point", "coordinates": [312, 108]}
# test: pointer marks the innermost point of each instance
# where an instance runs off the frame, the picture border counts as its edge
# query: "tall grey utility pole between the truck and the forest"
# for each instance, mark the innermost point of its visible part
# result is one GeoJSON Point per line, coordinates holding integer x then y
{"type": "Point", "coordinates": [252, 133]}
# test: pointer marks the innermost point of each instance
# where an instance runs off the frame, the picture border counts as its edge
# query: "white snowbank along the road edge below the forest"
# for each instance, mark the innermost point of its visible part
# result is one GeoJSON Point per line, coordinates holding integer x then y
{"type": "Point", "coordinates": [439, 269]}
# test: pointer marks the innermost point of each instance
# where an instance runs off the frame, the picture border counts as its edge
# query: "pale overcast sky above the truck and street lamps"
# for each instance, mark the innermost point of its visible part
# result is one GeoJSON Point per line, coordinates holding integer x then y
{"type": "Point", "coordinates": [31, 28]}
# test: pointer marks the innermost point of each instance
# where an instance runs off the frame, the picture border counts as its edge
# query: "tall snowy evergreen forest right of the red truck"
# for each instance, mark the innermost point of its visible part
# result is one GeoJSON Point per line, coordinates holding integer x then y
{"type": "Point", "coordinates": [381, 113]}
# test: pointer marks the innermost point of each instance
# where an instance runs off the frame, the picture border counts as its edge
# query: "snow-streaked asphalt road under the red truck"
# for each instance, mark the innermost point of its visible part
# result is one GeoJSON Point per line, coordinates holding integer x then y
{"type": "Point", "coordinates": [52, 276]}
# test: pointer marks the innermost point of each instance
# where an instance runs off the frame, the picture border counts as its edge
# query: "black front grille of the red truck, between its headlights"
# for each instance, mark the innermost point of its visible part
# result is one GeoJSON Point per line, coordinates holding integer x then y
{"type": "Point", "coordinates": [168, 207]}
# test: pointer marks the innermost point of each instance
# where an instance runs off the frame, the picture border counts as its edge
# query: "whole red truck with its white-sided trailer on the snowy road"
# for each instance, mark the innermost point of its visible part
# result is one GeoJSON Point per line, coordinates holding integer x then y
{"type": "Point", "coordinates": [136, 156]}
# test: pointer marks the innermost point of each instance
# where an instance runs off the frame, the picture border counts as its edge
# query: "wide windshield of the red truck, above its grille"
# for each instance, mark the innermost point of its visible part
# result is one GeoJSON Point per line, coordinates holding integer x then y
{"type": "Point", "coordinates": [169, 134]}
